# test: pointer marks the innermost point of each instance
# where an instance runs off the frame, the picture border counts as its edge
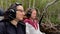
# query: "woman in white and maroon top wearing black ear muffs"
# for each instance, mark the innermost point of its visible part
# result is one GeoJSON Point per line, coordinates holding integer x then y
{"type": "Point", "coordinates": [32, 26]}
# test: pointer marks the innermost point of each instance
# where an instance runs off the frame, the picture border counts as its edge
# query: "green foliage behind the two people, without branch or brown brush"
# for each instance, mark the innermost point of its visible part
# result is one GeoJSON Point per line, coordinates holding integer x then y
{"type": "Point", "coordinates": [53, 12]}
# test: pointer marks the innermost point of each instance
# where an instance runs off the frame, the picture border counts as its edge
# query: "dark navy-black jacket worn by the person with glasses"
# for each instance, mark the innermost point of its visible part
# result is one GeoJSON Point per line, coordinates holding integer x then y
{"type": "Point", "coordinates": [8, 28]}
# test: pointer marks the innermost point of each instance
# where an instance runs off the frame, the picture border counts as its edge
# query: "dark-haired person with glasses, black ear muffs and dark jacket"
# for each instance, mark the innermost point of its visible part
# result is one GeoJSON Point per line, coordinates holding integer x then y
{"type": "Point", "coordinates": [13, 20]}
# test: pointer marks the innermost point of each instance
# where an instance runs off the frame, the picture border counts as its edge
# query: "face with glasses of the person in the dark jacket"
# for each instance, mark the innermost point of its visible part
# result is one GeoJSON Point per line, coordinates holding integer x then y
{"type": "Point", "coordinates": [20, 12]}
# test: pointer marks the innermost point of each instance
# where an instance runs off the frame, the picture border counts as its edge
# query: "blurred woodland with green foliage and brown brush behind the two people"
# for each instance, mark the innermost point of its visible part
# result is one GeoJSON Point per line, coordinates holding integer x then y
{"type": "Point", "coordinates": [50, 8]}
